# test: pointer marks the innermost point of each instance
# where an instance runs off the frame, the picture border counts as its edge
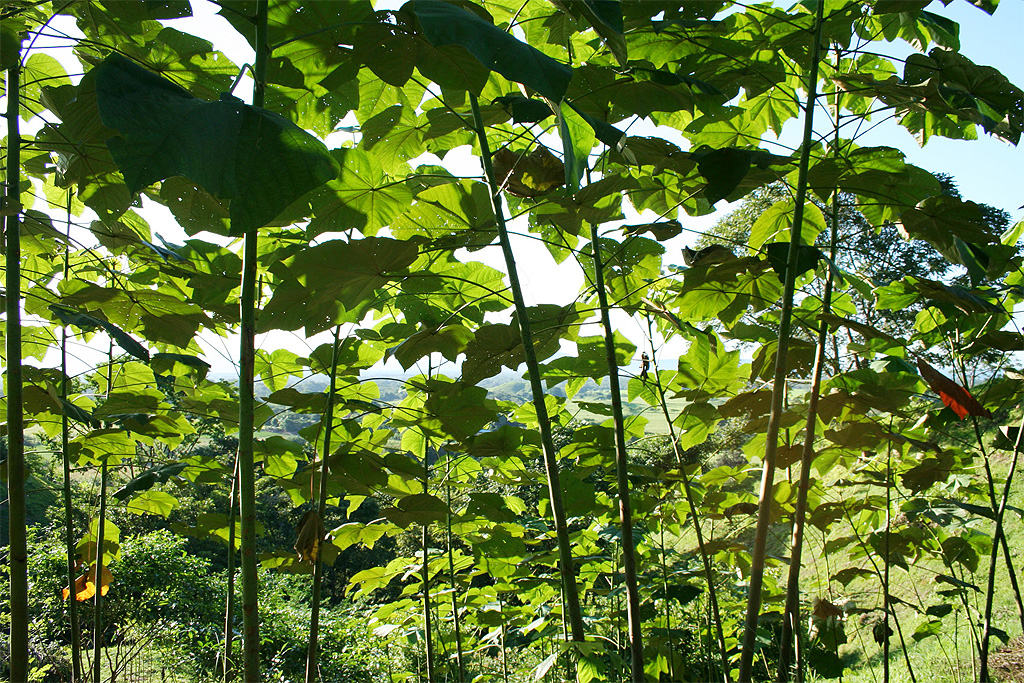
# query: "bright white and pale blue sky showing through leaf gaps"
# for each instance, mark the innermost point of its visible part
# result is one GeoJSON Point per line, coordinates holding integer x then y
{"type": "Point", "coordinates": [987, 170]}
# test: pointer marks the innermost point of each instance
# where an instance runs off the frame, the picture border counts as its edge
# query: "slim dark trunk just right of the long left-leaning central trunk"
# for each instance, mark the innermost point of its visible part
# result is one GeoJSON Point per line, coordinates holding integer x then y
{"type": "Point", "coordinates": [622, 473]}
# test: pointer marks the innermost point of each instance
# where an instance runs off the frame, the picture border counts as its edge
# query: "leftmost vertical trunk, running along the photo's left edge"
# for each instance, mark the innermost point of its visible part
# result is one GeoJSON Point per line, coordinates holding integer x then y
{"type": "Point", "coordinates": [17, 520]}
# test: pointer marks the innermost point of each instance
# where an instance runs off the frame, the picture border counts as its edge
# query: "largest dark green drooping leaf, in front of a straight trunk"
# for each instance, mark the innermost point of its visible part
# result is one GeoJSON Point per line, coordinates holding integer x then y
{"type": "Point", "coordinates": [254, 158]}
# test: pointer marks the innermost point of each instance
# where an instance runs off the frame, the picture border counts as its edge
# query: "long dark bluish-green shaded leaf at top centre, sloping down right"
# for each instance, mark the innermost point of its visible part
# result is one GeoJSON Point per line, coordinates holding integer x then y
{"type": "Point", "coordinates": [446, 24]}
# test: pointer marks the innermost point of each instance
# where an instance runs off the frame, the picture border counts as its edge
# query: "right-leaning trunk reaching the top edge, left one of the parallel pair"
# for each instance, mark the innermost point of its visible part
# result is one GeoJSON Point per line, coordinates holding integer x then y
{"type": "Point", "coordinates": [782, 369]}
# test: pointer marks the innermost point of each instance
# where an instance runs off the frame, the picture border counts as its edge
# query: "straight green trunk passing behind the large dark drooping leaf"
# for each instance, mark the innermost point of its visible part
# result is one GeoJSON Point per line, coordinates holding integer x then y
{"type": "Point", "coordinates": [247, 401]}
